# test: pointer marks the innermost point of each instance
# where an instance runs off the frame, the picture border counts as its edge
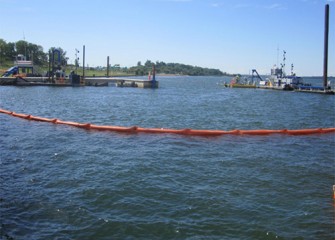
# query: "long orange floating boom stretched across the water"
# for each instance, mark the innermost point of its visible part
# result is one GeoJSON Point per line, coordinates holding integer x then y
{"type": "Point", "coordinates": [186, 131]}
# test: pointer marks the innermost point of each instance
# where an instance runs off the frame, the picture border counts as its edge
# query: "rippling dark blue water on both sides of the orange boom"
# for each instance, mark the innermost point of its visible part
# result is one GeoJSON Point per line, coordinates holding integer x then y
{"type": "Point", "coordinates": [60, 182]}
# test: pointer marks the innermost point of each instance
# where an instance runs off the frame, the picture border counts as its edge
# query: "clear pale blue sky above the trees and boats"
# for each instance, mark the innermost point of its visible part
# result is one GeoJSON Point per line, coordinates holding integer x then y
{"type": "Point", "coordinates": [234, 36]}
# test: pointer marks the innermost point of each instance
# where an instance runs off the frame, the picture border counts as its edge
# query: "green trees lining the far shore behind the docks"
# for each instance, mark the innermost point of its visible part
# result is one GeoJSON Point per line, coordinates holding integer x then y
{"type": "Point", "coordinates": [35, 53]}
